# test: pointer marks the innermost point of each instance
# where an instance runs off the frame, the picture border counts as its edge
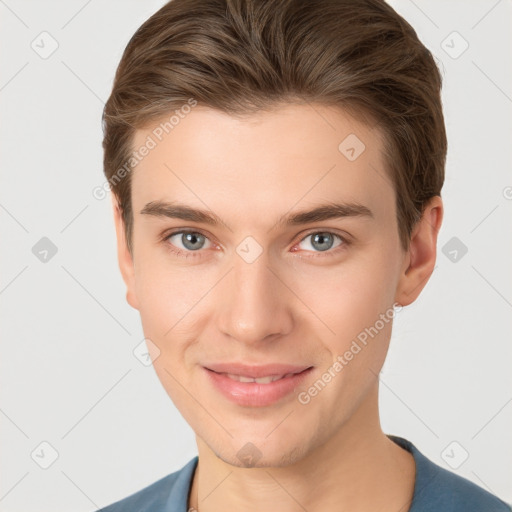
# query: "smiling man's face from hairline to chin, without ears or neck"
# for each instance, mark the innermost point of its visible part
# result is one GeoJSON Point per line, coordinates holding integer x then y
{"type": "Point", "coordinates": [255, 290]}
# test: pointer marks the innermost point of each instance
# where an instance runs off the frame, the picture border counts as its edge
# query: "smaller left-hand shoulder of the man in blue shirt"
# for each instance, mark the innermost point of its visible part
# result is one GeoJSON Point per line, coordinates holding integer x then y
{"type": "Point", "coordinates": [171, 489]}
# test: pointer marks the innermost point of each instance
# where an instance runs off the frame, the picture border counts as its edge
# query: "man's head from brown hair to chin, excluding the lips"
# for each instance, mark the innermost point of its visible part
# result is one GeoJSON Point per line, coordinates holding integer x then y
{"type": "Point", "coordinates": [256, 113]}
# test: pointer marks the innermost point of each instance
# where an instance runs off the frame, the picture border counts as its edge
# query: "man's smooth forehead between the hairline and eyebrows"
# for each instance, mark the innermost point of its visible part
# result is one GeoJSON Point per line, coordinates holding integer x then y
{"type": "Point", "coordinates": [266, 162]}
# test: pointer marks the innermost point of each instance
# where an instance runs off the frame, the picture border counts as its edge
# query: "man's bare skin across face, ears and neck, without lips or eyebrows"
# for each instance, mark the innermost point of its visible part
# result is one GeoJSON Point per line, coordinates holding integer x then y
{"type": "Point", "coordinates": [294, 304]}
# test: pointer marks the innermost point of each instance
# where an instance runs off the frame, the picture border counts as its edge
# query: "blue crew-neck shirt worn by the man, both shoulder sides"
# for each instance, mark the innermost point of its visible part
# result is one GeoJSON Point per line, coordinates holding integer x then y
{"type": "Point", "coordinates": [435, 490]}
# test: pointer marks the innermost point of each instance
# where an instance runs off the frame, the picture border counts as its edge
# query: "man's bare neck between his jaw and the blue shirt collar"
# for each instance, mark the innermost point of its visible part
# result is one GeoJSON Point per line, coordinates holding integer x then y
{"type": "Point", "coordinates": [357, 469]}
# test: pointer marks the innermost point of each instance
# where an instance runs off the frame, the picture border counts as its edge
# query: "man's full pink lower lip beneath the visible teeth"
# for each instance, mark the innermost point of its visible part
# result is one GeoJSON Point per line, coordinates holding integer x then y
{"type": "Point", "coordinates": [252, 394]}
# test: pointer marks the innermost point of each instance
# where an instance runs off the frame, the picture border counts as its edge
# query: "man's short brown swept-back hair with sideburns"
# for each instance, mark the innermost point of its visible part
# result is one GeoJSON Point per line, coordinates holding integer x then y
{"type": "Point", "coordinates": [242, 56]}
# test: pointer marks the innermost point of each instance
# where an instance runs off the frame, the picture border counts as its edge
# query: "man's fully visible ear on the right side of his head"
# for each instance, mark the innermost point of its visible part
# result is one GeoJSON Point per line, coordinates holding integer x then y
{"type": "Point", "coordinates": [421, 256]}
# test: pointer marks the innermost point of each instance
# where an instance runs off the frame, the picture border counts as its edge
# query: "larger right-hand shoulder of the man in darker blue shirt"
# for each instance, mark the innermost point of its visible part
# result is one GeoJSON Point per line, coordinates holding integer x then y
{"type": "Point", "coordinates": [437, 489]}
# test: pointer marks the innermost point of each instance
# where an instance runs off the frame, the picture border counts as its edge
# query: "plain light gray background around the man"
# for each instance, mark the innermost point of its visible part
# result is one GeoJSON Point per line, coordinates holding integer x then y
{"type": "Point", "coordinates": [69, 376]}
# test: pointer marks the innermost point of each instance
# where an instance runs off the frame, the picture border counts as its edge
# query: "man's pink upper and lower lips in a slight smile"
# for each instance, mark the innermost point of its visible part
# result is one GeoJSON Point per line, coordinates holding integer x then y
{"type": "Point", "coordinates": [253, 394]}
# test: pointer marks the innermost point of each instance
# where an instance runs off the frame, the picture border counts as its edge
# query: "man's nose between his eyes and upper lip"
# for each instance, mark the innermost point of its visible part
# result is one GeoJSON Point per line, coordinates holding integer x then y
{"type": "Point", "coordinates": [253, 302]}
